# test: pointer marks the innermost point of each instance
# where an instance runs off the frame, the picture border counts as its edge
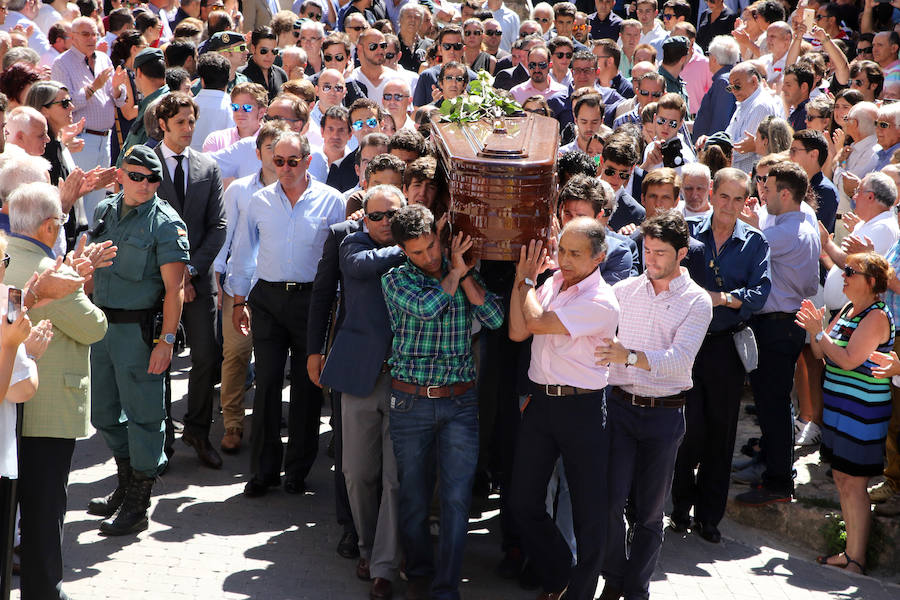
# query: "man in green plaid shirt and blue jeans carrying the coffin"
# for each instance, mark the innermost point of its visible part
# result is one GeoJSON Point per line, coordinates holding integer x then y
{"type": "Point", "coordinates": [432, 303]}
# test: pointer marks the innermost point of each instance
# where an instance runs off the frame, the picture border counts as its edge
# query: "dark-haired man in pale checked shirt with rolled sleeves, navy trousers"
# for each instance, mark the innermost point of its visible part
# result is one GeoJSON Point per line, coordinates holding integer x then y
{"type": "Point", "coordinates": [663, 320]}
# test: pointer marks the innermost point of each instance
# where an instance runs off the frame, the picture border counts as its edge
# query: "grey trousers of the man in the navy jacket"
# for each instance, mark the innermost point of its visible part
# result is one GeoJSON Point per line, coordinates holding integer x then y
{"type": "Point", "coordinates": [369, 464]}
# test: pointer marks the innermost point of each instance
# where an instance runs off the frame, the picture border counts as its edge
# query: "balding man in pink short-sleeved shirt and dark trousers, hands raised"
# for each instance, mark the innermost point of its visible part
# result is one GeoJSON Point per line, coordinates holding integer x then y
{"type": "Point", "coordinates": [569, 315]}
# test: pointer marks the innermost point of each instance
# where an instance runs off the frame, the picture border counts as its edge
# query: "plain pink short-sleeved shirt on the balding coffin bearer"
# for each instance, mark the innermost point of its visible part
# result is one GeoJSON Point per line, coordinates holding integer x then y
{"type": "Point", "coordinates": [589, 311]}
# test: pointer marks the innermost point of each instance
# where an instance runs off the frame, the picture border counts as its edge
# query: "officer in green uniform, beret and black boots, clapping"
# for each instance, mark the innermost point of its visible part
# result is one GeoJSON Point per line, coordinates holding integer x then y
{"type": "Point", "coordinates": [127, 365]}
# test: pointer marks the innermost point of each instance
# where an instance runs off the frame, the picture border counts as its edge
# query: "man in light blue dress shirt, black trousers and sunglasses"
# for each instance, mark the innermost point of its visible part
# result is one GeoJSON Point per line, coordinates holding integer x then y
{"type": "Point", "coordinates": [278, 241]}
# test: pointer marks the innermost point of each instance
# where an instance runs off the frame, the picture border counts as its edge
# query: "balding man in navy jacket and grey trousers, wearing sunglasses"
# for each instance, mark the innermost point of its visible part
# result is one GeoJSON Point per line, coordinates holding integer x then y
{"type": "Point", "coordinates": [357, 367]}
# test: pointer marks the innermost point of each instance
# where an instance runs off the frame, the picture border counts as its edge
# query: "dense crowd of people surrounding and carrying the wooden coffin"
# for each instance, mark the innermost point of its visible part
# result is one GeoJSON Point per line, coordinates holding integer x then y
{"type": "Point", "coordinates": [258, 180]}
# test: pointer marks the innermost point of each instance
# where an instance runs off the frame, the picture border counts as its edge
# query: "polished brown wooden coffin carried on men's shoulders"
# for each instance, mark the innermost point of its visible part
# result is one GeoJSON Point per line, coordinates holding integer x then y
{"type": "Point", "coordinates": [501, 177]}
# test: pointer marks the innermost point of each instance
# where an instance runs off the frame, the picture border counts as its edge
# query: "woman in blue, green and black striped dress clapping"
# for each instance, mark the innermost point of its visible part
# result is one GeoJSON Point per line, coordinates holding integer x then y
{"type": "Point", "coordinates": [857, 403]}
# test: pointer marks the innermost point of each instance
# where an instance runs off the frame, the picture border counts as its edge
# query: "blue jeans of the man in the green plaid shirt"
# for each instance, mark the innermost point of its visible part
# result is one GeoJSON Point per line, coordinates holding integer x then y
{"type": "Point", "coordinates": [428, 433]}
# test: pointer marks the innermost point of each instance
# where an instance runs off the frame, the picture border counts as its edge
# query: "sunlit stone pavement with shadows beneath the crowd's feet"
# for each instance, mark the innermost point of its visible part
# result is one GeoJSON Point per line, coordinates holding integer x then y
{"type": "Point", "coordinates": [207, 541]}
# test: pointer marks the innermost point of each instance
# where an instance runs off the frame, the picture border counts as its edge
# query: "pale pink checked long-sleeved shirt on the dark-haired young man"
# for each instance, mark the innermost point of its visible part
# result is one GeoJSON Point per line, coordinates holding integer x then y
{"type": "Point", "coordinates": [668, 328]}
